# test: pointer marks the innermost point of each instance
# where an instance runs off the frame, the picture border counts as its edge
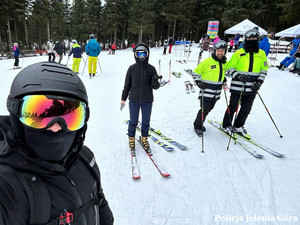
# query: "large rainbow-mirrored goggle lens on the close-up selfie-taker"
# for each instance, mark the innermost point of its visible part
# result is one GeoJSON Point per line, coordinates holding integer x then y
{"type": "Point", "coordinates": [41, 111]}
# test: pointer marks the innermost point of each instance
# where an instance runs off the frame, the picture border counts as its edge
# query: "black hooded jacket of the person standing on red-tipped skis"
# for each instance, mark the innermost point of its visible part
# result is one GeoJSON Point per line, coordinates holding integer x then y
{"type": "Point", "coordinates": [141, 79]}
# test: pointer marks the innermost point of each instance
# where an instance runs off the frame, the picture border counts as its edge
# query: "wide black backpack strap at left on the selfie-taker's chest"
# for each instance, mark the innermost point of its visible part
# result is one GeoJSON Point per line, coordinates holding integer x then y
{"type": "Point", "coordinates": [38, 198]}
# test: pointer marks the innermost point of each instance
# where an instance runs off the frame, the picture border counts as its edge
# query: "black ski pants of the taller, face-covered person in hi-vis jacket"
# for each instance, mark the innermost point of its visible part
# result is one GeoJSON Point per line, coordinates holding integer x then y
{"type": "Point", "coordinates": [245, 108]}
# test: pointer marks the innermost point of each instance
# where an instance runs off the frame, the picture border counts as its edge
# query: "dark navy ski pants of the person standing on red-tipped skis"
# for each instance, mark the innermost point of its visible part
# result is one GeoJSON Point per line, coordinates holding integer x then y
{"type": "Point", "coordinates": [134, 109]}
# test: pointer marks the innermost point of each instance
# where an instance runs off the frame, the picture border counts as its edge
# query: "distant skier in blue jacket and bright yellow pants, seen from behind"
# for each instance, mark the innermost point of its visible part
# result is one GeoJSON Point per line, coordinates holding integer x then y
{"type": "Point", "coordinates": [92, 49]}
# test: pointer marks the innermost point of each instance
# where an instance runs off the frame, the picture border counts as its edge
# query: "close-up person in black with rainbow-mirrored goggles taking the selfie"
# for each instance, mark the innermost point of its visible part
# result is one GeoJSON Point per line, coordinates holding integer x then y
{"type": "Point", "coordinates": [47, 175]}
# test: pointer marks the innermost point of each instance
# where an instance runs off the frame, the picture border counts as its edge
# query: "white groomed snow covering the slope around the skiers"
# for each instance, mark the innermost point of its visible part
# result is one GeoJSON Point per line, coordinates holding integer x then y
{"type": "Point", "coordinates": [202, 185]}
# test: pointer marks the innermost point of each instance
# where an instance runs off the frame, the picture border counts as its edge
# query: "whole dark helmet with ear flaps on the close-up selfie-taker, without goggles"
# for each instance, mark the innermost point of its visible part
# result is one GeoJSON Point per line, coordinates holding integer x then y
{"type": "Point", "coordinates": [45, 78]}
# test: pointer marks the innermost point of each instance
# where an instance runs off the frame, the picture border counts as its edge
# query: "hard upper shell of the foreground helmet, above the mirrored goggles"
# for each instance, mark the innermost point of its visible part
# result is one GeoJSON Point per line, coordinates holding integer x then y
{"type": "Point", "coordinates": [48, 78]}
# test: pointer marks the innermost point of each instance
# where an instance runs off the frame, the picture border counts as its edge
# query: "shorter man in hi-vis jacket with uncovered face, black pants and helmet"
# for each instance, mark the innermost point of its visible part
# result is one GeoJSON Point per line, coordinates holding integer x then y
{"type": "Point", "coordinates": [210, 77]}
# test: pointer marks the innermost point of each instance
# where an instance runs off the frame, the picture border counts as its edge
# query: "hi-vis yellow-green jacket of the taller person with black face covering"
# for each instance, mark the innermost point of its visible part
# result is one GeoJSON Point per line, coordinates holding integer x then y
{"type": "Point", "coordinates": [250, 63]}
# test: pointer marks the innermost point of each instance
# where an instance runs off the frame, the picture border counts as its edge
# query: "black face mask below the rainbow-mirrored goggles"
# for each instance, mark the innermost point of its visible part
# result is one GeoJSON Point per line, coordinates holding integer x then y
{"type": "Point", "coordinates": [47, 145]}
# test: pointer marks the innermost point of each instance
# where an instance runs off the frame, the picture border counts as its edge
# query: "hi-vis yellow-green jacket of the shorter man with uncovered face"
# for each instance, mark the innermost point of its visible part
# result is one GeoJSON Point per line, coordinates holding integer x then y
{"type": "Point", "coordinates": [212, 73]}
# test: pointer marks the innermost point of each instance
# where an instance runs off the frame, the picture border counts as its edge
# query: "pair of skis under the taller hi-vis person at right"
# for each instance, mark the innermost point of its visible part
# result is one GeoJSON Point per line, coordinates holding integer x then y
{"type": "Point", "coordinates": [237, 138]}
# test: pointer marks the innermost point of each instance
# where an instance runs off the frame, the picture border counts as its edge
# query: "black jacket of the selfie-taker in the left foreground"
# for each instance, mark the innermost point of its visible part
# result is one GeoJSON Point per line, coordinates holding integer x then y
{"type": "Point", "coordinates": [33, 191]}
